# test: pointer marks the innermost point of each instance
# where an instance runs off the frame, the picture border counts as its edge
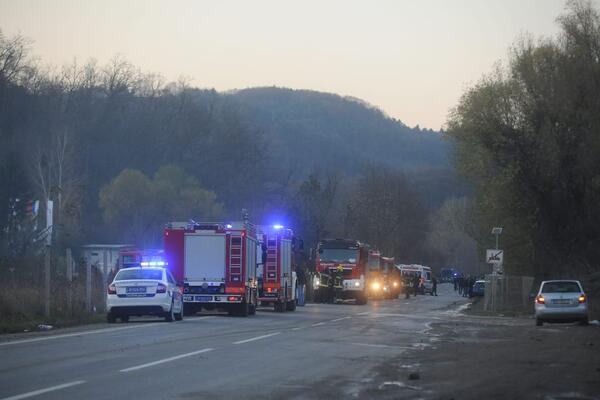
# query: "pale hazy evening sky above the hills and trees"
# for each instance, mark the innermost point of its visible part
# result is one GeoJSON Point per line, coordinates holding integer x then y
{"type": "Point", "coordinates": [413, 59]}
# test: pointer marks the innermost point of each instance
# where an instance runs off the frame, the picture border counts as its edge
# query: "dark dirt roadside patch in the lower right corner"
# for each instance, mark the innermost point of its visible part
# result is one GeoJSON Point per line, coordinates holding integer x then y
{"type": "Point", "coordinates": [487, 358]}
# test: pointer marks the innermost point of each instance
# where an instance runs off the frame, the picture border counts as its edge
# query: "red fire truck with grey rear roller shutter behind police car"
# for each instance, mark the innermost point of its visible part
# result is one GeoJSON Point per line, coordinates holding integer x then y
{"type": "Point", "coordinates": [215, 263]}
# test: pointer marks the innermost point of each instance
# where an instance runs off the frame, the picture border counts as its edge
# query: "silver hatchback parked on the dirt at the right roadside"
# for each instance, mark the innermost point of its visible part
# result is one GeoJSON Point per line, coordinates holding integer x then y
{"type": "Point", "coordinates": [561, 301]}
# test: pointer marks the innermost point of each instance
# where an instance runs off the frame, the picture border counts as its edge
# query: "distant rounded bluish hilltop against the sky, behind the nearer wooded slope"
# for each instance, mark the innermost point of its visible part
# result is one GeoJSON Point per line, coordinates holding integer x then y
{"type": "Point", "coordinates": [314, 129]}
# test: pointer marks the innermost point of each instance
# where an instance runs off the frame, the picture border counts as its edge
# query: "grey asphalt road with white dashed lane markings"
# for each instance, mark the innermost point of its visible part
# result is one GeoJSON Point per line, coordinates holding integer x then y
{"type": "Point", "coordinates": [318, 351]}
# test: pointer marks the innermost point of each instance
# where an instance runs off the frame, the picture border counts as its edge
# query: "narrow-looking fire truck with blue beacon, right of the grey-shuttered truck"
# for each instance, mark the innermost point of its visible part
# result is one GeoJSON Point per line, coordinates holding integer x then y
{"type": "Point", "coordinates": [277, 273]}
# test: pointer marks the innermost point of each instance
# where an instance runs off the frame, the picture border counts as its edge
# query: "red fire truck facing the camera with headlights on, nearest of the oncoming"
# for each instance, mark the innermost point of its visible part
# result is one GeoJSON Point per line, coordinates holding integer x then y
{"type": "Point", "coordinates": [340, 271]}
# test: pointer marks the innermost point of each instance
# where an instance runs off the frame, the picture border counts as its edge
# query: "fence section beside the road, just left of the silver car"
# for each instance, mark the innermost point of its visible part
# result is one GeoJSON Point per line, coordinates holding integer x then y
{"type": "Point", "coordinates": [507, 293]}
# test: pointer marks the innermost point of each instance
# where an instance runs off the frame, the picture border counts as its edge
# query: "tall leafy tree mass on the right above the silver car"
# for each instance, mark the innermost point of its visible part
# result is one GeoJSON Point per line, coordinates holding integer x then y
{"type": "Point", "coordinates": [528, 137]}
